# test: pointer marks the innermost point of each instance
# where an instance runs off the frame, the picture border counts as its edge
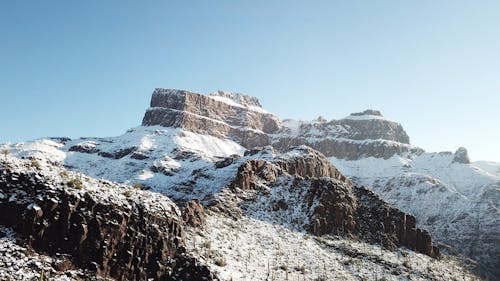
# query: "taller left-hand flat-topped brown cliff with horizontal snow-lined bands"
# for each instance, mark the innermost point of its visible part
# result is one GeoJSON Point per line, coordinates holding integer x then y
{"type": "Point", "coordinates": [203, 114]}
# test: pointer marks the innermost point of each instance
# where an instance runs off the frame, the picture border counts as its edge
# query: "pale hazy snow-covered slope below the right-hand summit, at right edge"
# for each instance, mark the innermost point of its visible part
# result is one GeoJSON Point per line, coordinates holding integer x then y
{"type": "Point", "coordinates": [459, 203]}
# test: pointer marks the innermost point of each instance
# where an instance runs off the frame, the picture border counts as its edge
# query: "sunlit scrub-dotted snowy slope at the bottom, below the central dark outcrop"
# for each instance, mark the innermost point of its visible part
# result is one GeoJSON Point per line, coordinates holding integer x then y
{"type": "Point", "coordinates": [252, 249]}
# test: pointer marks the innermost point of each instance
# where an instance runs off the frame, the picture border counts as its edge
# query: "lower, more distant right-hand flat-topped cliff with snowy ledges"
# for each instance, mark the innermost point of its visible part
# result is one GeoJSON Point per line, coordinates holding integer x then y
{"type": "Point", "coordinates": [363, 134]}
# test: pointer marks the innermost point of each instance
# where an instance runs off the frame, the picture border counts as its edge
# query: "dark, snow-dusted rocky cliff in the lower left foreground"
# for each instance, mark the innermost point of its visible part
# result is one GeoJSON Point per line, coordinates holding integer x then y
{"type": "Point", "coordinates": [125, 240]}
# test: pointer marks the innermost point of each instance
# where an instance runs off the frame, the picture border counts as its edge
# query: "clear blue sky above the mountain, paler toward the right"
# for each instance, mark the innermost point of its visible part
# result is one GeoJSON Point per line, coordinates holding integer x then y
{"type": "Point", "coordinates": [87, 68]}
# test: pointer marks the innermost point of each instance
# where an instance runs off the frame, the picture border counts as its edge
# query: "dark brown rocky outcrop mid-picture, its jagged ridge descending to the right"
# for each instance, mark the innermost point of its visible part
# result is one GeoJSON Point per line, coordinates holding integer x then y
{"type": "Point", "coordinates": [333, 204]}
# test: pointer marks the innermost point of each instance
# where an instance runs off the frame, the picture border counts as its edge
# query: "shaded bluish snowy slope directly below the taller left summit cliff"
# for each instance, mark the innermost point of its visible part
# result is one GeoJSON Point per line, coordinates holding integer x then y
{"type": "Point", "coordinates": [153, 157]}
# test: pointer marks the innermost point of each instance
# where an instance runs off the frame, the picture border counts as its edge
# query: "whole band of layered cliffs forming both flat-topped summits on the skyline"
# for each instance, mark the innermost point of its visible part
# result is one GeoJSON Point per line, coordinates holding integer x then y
{"type": "Point", "coordinates": [242, 119]}
